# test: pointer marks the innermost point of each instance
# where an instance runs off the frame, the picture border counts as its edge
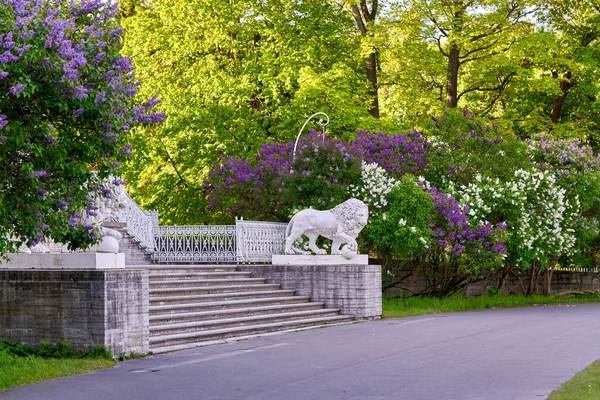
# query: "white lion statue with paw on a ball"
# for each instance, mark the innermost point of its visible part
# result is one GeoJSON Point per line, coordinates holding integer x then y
{"type": "Point", "coordinates": [341, 224]}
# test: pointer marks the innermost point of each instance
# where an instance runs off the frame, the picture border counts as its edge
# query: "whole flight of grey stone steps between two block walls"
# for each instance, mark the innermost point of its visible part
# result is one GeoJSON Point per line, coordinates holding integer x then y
{"type": "Point", "coordinates": [195, 305]}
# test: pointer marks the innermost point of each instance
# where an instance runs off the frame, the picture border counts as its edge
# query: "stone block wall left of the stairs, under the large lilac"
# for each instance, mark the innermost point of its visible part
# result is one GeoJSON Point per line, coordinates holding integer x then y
{"type": "Point", "coordinates": [86, 308]}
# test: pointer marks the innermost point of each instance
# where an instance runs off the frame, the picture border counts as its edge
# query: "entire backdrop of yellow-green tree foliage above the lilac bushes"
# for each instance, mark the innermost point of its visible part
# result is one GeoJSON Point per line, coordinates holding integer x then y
{"type": "Point", "coordinates": [234, 75]}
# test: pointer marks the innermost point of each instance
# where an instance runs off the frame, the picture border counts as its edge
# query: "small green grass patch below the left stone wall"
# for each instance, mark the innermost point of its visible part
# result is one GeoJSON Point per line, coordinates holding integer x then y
{"type": "Point", "coordinates": [16, 371]}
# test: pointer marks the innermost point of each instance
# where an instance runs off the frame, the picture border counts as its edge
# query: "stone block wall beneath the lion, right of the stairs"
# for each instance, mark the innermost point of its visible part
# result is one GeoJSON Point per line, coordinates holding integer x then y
{"type": "Point", "coordinates": [354, 289]}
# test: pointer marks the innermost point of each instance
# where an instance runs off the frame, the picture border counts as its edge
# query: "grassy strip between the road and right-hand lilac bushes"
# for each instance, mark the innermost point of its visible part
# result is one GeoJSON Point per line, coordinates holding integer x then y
{"type": "Point", "coordinates": [398, 308]}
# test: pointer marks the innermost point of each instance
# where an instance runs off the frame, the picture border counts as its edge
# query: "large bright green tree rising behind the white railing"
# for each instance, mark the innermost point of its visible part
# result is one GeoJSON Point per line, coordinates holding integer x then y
{"type": "Point", "coordinates": [234, 75]}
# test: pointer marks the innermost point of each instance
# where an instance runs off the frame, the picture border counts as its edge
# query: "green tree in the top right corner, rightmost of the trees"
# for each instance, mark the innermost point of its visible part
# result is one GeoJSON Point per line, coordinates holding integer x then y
{"type": "Point", "coordinates": [561, 94]}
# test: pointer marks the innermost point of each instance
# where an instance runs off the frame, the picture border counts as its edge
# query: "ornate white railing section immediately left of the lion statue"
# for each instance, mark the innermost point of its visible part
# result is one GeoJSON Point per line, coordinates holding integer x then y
{"type": "Point", "coordinates": [258, 241]}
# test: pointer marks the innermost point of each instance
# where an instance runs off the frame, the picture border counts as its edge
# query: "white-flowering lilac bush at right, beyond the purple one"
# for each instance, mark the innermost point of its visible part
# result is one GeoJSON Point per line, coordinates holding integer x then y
{"type": "Point", "coordinates": [539, 216]}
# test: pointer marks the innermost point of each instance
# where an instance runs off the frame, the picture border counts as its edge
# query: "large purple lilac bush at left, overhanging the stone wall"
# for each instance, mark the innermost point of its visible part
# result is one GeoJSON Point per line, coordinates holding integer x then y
{"type": "Point", "coordinates": [66, 102]}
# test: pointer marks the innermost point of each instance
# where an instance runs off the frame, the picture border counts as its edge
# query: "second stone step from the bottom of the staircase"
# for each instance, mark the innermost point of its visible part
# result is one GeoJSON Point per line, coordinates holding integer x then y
{"type": "Point", "coordinates": [215, 324]}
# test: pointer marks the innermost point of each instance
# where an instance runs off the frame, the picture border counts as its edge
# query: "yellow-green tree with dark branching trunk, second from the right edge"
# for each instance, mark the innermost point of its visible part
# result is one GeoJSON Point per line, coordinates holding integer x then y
{"type": "Point", "coordinates": [451, 52]}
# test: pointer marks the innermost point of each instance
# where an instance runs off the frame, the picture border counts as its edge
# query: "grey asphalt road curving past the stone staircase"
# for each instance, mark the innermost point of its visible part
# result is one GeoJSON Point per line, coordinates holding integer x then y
{"type": "Point", "coordinates": [521, 353]}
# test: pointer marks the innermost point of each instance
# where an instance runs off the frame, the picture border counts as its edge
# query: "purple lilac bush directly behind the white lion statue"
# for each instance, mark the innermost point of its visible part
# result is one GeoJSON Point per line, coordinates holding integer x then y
{"type": "Point", "coordinates": [274, 183]}
